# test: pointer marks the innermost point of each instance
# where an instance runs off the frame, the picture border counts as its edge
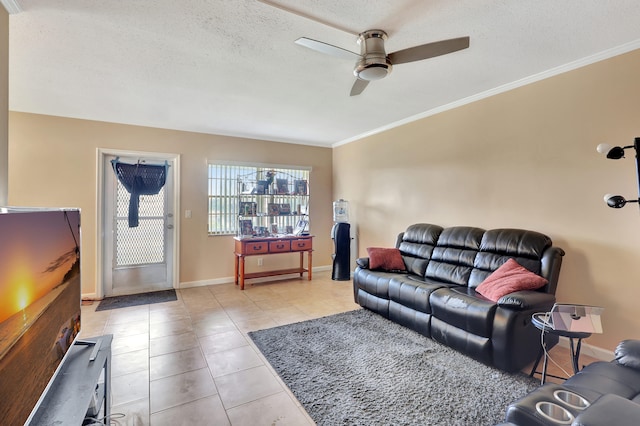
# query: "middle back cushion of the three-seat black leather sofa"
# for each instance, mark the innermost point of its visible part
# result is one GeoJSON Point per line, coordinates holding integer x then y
{"type": "Point", "coordinates": [453, 257]}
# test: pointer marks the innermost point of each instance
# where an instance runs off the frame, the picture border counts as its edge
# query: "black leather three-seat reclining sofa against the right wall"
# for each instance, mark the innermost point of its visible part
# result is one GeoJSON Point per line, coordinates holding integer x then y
{"type": "Point", "coordinates": [436, 295]}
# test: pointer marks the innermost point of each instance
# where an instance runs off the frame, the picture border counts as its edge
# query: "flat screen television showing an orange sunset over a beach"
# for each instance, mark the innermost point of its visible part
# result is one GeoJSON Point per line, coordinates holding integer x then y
{"type": "Point", "coordinates": [40, 298]}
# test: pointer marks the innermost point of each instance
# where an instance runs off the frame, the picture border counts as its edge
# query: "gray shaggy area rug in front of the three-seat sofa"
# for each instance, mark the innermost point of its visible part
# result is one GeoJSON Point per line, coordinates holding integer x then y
{"type": "Point", "coordinates": [358, 368]}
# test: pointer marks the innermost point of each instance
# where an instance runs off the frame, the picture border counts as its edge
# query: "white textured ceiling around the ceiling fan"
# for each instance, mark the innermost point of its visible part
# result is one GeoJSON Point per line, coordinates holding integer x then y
{"type": "Point", "coordinates": [231, 67]}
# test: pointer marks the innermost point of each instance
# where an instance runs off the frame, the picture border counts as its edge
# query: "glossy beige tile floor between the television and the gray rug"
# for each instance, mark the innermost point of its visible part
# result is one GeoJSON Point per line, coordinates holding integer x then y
{"type": "Point", "coordinates": [190, 362]}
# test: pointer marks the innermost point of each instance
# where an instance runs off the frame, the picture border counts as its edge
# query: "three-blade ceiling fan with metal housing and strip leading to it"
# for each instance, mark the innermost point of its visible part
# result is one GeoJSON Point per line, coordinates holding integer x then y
{"type": "Point", "coordinates": [373, 63]}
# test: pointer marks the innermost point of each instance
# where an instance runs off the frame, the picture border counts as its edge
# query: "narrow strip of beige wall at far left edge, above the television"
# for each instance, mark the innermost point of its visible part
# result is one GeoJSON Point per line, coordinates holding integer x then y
{"type": "Point", "coordinates": [4, 105]}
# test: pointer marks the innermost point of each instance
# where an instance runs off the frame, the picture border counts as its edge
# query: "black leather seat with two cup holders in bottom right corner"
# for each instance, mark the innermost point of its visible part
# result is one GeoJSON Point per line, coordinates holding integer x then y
{"type": "Point", "coordinates": [601, 394]}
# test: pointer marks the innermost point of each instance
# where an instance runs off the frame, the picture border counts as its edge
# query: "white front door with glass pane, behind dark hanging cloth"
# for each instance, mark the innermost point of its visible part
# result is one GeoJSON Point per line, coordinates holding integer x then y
{"type": "Point", "coordinates": [137, 259]}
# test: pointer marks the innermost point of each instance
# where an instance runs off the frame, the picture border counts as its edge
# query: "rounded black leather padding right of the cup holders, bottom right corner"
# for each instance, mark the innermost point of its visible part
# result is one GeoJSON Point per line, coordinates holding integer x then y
{"type": "Point", "coordinates": [610, 409]}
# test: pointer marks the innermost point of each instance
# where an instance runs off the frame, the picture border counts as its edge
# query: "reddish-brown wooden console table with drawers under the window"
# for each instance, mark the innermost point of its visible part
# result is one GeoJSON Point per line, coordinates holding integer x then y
{"type": "Point", "coordinates": [271, 245]}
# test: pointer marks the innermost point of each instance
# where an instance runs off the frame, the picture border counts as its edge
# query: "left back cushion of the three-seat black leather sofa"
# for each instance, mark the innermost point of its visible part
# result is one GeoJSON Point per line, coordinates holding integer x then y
{"type": "Point", "coordinates": [416, 246]}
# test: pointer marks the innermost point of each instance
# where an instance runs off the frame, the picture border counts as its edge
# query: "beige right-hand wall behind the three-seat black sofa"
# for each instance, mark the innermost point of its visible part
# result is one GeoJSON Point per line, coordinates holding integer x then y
{"type": "Point", "coordinates": [525, 158]}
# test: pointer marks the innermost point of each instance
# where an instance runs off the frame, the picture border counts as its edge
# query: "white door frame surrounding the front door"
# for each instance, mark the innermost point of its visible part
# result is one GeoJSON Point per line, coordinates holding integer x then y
{"type": "Point", "coordinates": [174, 172]}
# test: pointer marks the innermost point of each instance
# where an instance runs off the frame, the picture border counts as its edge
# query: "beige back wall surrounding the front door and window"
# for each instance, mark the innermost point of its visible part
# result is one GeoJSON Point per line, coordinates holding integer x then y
{"type": "Point", "coordinates": [53, 164]}
